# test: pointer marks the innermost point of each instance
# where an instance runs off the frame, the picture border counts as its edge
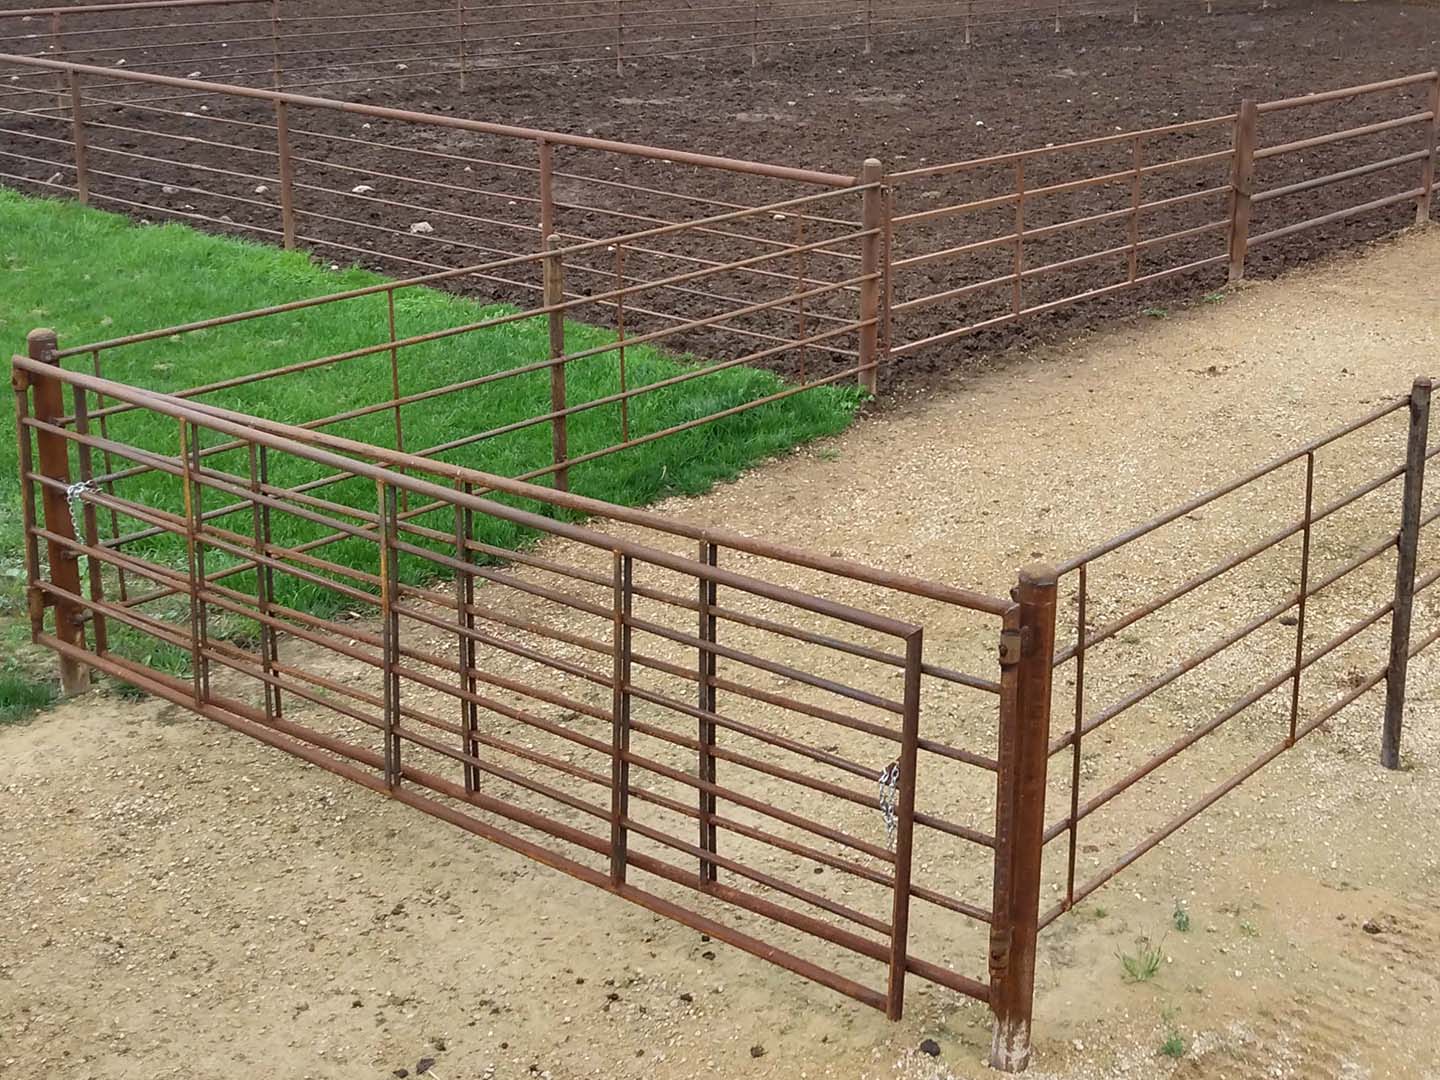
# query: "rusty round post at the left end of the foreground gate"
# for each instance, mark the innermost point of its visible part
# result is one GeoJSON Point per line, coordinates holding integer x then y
{"type": "Point", "coordinates": [48, 397]}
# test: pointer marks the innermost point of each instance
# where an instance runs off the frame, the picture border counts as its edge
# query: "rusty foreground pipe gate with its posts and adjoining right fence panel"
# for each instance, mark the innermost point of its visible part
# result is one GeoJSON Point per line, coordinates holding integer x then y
{"type": "Point", "coordinates": [836, 768]}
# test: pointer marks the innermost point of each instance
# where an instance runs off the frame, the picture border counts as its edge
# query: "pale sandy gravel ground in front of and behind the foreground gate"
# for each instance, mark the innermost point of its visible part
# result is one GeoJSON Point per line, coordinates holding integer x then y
{"type": "Point", "coordinates": [185, 904]}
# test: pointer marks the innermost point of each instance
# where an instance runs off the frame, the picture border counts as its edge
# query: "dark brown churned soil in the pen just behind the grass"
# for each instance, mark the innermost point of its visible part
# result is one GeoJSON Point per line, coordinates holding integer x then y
{"type": "Point", "coordinates": [919, 102]}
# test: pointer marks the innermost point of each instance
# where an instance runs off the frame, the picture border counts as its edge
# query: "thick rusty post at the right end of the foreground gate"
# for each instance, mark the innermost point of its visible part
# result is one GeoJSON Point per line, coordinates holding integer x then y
{"type": "Point", "coordinates": [1027, 657]}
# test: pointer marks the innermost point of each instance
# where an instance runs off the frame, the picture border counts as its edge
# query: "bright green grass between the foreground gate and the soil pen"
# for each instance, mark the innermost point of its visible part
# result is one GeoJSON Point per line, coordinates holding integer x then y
{"type": "Point", "coordinates": [93, 276]}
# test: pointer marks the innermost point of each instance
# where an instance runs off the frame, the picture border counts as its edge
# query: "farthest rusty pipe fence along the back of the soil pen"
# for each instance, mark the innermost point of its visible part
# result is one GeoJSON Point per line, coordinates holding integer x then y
{"type": "Point", "coordinates": [282, 44]}
